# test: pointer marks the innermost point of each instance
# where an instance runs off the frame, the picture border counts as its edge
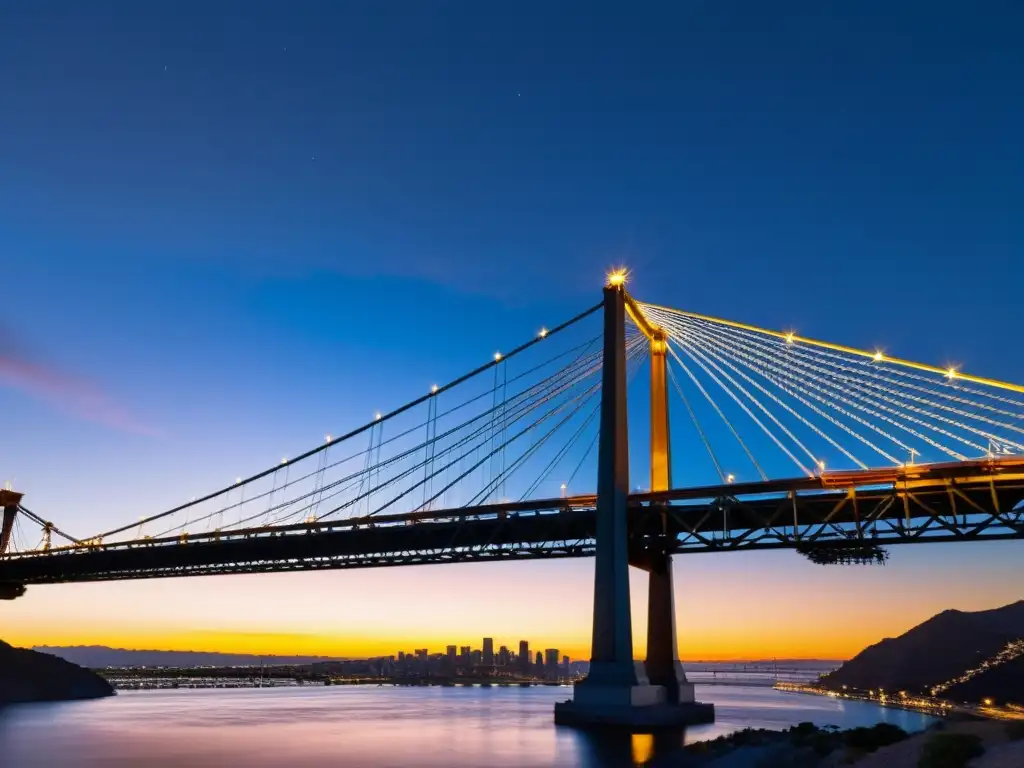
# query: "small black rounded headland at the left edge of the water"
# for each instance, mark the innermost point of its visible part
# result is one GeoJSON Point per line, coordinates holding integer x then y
{"type": "Point", "coordinates": [29, 676]}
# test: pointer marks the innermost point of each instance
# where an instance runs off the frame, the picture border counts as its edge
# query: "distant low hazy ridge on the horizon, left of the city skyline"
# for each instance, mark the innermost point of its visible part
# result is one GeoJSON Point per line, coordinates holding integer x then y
{"type": "Point", "coordinates": [100, 657]}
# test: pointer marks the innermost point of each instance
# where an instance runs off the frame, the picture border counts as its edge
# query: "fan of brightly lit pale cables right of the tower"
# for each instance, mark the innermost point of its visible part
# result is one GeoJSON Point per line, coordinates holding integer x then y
{"type": "Point", "coordinates": [824, 407]}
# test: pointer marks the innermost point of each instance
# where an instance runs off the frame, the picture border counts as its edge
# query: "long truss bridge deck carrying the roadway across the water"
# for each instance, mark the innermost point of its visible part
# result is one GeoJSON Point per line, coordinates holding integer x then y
{"type": "Point", "coordinates": [959, 502]}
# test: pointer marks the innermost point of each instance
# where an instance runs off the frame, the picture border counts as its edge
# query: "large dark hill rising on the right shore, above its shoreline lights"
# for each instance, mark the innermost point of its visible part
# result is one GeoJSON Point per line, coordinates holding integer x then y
{"type": "Point", "coordinates": [942, 649]}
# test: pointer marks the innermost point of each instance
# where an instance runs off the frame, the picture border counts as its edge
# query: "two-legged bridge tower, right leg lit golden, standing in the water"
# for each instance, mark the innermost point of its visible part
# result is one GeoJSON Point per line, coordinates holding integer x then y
{"type": "Point", "coordinates": [619, 691]}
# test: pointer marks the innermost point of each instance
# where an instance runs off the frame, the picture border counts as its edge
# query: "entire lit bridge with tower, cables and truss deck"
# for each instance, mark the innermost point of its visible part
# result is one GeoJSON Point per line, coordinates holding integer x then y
{"type": "Point", "coordinates": [792, 443]}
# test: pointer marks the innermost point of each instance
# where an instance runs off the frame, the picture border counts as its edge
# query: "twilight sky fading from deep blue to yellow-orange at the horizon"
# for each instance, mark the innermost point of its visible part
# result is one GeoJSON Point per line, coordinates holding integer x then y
{"type": "Point", "coordinates": [228, 229]}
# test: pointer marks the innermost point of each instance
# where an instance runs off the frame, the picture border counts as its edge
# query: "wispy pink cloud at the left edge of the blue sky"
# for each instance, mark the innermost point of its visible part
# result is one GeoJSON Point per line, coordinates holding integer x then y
{"type": "Point", "coordinates": [72, 395]}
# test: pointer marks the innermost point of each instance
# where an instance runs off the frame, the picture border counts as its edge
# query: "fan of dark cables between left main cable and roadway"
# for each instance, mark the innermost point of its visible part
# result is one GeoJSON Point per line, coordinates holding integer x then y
{"type": "Point", "coordinates": [524, 424]}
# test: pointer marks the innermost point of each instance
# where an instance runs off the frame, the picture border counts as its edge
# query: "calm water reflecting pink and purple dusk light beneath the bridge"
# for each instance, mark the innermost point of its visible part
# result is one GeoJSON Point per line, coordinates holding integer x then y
{"type": "Point", "coordinates": [376, 728]}
